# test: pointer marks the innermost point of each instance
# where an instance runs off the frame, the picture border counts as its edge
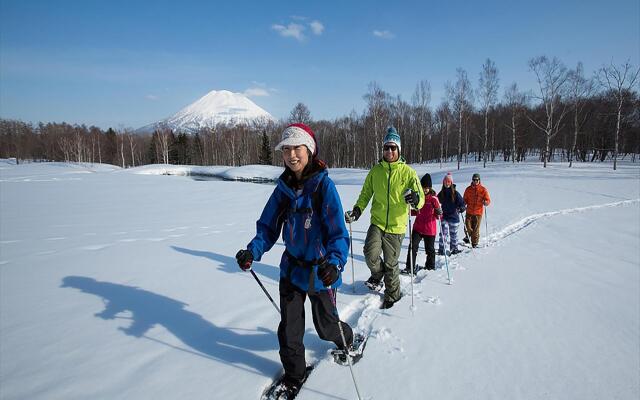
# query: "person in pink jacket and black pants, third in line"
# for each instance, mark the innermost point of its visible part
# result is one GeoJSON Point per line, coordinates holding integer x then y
{"type": "Point", "coordinates": [425, 227]}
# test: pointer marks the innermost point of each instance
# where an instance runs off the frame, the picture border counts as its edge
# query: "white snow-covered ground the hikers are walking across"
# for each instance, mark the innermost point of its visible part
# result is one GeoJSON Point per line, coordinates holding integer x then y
{"type": "Point", "coordinates": [119, 284]}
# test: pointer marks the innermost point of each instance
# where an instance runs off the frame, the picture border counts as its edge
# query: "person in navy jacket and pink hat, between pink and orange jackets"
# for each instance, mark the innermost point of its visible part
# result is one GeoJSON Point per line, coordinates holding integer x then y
{"type": "Point", "coordinates": [452, 205]}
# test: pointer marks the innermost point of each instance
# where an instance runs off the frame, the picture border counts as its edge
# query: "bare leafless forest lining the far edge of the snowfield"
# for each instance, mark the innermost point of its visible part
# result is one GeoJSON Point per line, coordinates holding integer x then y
{"type": "Point", "coordinates": [568, 117]}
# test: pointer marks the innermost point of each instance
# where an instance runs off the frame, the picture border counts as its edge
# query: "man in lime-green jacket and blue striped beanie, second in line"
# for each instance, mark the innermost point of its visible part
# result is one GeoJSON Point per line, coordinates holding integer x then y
{"type": "Point", "coordinates": [394, 186]}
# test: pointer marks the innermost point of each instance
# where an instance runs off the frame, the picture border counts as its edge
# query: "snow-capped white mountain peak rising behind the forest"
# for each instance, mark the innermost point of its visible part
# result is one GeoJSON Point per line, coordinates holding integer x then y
{"type": "Point", "coordinates": [217, 106]}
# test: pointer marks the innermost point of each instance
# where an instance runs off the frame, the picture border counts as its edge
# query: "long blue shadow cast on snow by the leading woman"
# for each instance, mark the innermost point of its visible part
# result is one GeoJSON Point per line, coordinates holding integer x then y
{"type": "Point", "coordinates": [146, 309]}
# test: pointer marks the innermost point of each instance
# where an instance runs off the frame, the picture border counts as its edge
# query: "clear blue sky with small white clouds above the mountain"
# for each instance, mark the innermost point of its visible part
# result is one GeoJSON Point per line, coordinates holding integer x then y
{"type": "Point", "coordinates": [129, 63]}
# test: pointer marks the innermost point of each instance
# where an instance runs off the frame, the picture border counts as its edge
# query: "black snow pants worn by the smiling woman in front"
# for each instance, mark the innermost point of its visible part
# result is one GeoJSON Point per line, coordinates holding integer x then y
{"type": "Point", "coordinates": [291, 328]}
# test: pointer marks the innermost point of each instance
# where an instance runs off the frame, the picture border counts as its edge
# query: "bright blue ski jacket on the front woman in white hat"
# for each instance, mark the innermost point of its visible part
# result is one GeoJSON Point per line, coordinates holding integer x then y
{"type": "Point", "coordinates": [311, 232]}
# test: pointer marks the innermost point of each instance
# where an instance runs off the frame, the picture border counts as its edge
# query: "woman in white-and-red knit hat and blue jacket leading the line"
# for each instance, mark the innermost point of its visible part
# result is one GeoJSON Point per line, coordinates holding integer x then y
{"type": "Point", "coordinates": [306, 207]}
